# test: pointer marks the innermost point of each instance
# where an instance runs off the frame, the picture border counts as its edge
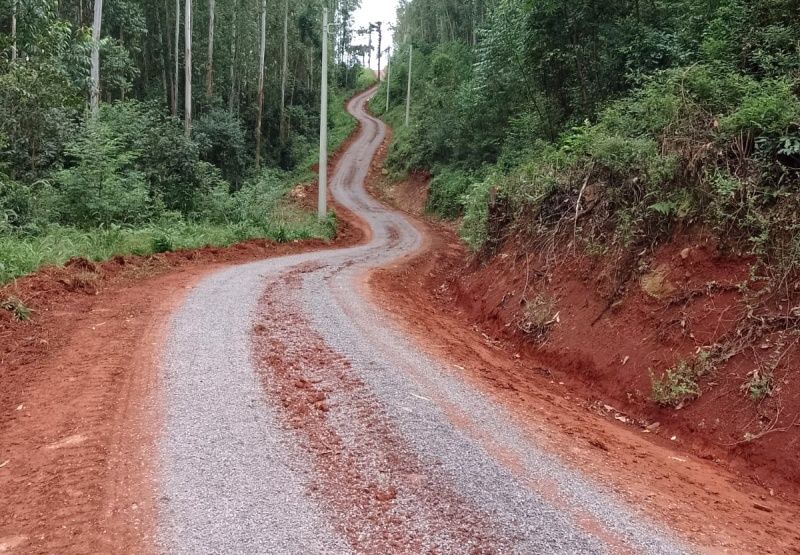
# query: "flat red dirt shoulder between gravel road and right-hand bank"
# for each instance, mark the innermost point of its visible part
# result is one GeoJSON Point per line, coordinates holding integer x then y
{"type": "Point", "coordinates": [712, 505]}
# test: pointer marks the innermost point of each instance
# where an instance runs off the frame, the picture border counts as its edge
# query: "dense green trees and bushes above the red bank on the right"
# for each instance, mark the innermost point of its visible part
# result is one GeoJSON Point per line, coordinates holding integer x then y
{"type": "Point", "coordinates": [615, 123]}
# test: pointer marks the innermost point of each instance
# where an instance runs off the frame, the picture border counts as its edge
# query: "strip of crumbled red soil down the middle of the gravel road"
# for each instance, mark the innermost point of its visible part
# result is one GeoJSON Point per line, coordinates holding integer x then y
{"type": "Point", "coordinates": [355, 478]}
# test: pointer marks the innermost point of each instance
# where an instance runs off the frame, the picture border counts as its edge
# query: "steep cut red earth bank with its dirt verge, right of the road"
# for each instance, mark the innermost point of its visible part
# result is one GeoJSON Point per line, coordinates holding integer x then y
{"type": "Point", "coordinates": [584, 389]}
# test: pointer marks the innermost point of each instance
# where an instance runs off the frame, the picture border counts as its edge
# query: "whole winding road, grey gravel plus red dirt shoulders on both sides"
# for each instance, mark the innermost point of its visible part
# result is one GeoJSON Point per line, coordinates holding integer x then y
{"type": "Point", "coordinates": [296, 405]}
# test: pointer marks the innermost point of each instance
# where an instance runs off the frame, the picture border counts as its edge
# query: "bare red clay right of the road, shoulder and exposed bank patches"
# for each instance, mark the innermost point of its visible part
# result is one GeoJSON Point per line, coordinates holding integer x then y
{"type": "Point", "coordinates": [572, 397]}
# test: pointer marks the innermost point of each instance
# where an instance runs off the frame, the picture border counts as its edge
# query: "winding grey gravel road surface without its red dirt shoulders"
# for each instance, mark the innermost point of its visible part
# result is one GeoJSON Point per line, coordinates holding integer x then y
{"type": "Point", "coordinates": [298, 419]}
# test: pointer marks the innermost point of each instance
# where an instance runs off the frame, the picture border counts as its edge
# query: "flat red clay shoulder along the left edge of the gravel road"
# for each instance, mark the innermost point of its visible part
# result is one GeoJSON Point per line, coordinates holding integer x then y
{"type": "Point", "coordinates": [78, 408]}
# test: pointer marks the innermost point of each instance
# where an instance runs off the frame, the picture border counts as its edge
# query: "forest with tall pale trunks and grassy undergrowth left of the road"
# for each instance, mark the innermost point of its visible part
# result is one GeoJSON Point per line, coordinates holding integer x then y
{"type": "Point", "coordinates": [140, 126]}
